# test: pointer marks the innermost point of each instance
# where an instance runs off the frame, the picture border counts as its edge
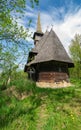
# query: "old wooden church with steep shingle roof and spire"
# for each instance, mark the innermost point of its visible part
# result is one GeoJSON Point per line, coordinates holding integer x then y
{"type": "Point", "coordinates": [48, 61]}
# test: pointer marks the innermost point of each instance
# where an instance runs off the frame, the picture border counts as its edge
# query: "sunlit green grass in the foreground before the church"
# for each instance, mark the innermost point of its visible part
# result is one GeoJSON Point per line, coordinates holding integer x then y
{"type": "Point", "coordinates": [42, 109]}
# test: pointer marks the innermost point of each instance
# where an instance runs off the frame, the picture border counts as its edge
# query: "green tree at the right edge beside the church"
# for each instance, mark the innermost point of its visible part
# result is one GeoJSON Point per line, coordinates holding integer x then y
{"type": "Point", "coordinates": [75, 51]}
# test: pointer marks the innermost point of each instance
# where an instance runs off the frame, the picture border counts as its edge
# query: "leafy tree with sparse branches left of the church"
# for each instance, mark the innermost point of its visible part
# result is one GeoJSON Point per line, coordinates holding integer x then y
{"type": "Point", "coordinates": [13, 38]}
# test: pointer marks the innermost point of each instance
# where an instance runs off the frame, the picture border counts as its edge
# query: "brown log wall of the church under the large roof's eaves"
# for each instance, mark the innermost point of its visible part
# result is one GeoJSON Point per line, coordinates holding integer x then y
{"type": "Point", "coordinates": [53, 72]}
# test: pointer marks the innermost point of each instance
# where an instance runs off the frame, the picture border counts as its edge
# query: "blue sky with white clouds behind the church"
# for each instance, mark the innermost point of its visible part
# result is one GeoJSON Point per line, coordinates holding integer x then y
{"type": "Point", "coordinates": [64, 15]}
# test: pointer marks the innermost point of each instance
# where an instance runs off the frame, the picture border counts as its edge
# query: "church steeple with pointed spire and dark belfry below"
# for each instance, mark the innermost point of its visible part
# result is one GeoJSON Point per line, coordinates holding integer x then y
{"type": "Point", "coordinates": [38, 34]}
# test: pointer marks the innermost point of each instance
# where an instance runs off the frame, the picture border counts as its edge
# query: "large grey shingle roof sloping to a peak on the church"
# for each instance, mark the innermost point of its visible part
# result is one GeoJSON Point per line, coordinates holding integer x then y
{"type": "Point", "coordinates": [50, 48]}
